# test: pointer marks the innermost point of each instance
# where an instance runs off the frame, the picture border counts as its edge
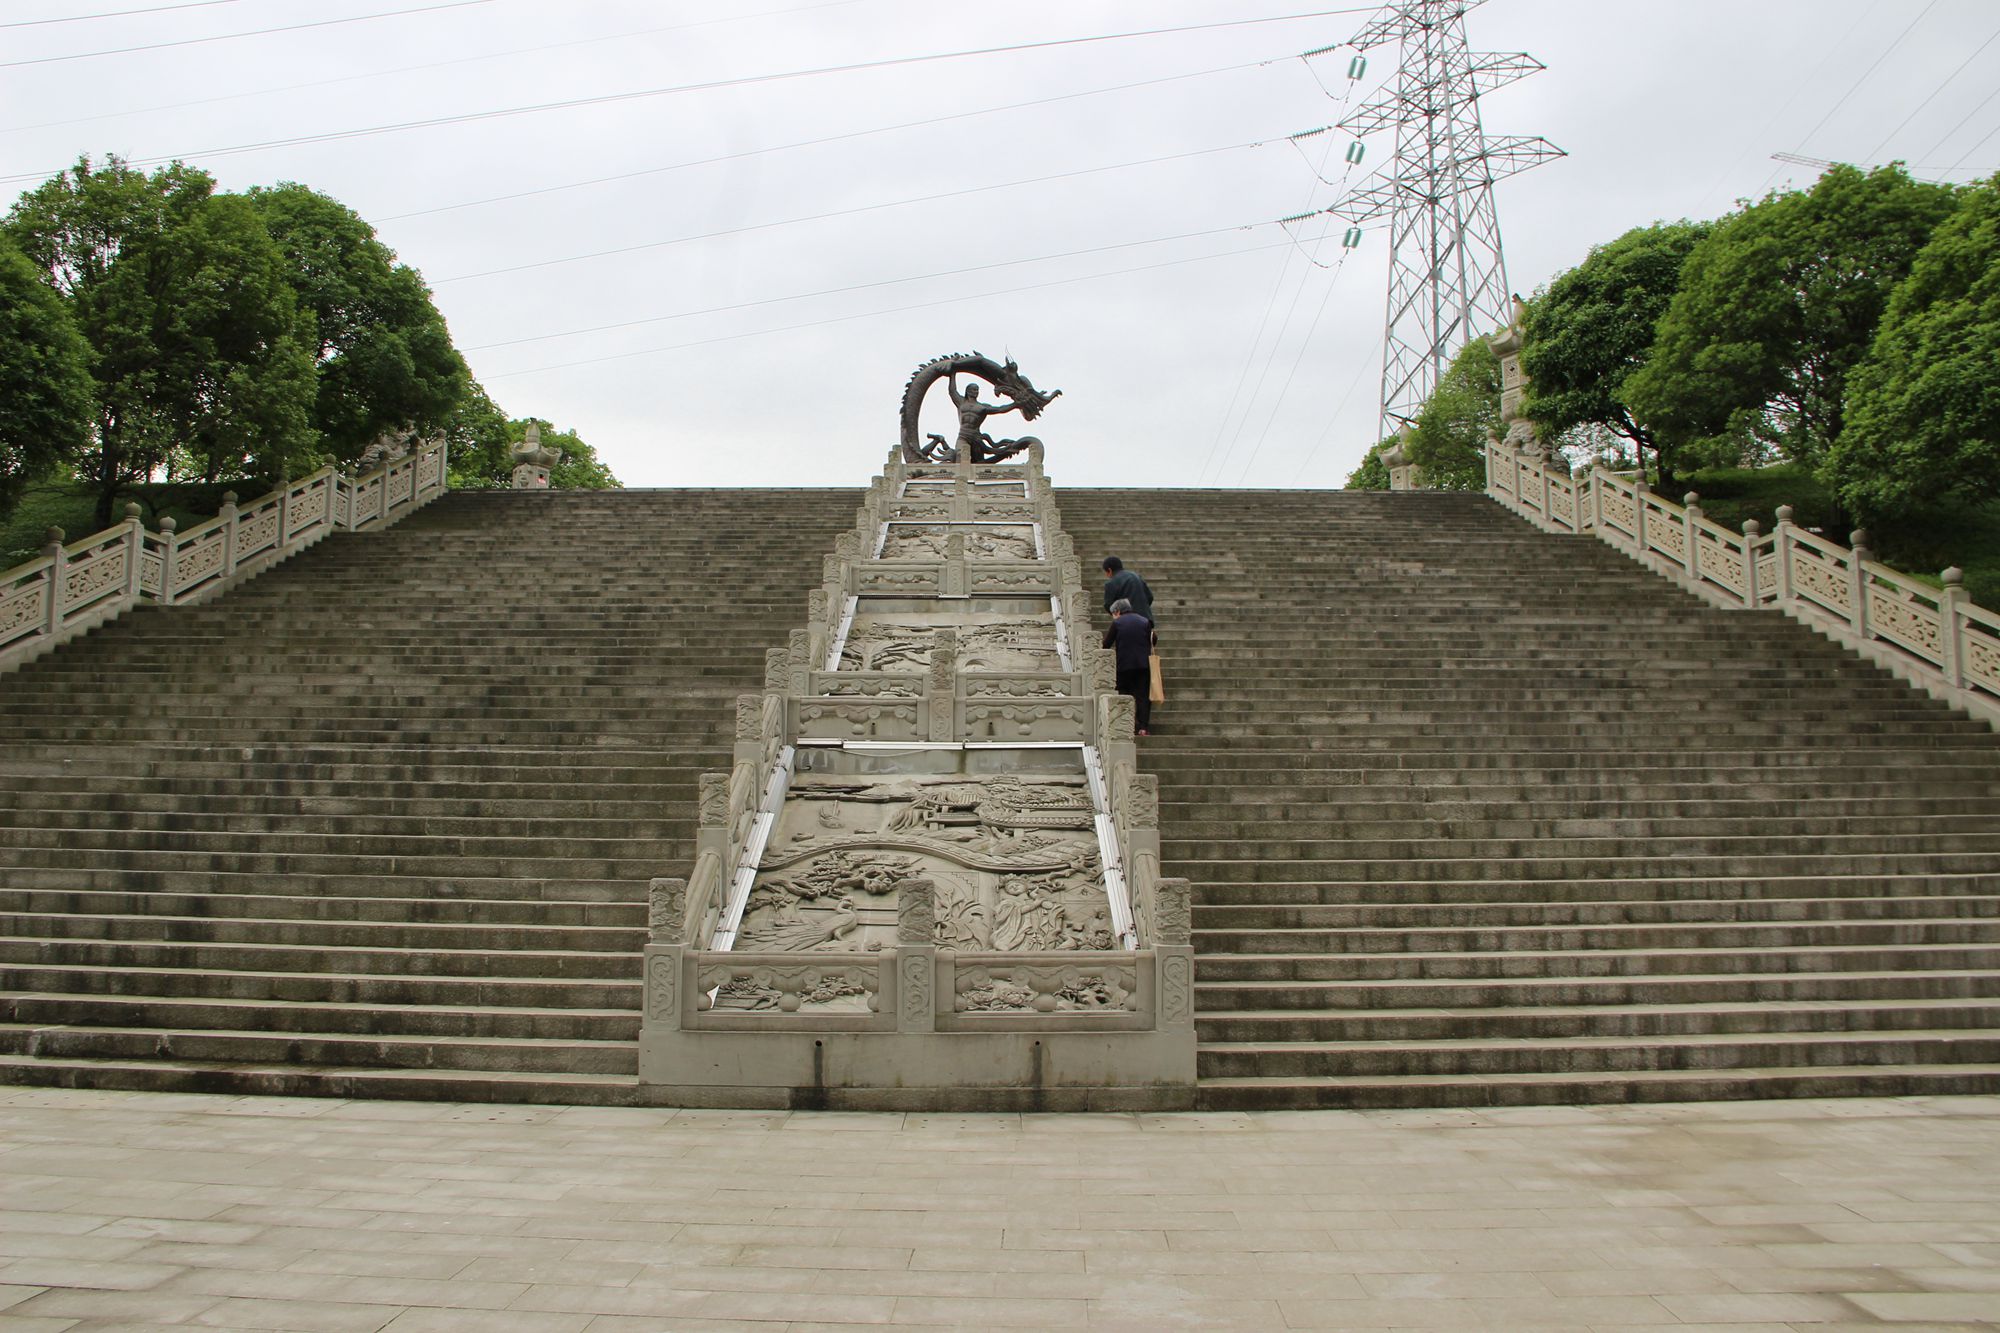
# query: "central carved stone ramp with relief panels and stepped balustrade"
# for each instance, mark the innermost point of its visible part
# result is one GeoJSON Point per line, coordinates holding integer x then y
{"type": "Point", "coordinates": [919, 996]}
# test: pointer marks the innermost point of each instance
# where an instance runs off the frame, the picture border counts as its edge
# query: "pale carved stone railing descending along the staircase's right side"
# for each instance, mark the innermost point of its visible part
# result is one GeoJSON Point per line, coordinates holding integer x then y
{"type": "Point", "coordinates": [1933, 637]}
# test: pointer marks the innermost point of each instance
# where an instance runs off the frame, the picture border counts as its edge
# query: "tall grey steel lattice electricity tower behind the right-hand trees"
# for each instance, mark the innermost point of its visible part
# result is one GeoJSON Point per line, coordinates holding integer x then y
{"type": "Point", "coordinates": [1447, 279]}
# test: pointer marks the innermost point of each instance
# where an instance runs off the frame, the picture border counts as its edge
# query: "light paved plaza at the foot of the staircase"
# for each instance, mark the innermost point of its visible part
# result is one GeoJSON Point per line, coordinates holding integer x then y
{"type": "Point", "coordinates": [133, 1210]}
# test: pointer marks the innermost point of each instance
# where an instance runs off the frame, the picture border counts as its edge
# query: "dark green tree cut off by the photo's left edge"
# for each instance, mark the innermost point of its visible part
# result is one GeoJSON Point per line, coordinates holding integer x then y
{"type": "Point", "coordinates": [45, 379]}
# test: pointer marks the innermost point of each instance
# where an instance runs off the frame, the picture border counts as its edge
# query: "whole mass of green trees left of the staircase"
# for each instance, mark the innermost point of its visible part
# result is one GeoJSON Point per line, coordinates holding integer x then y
{"type": "Point", "coordinates": [157, 327]}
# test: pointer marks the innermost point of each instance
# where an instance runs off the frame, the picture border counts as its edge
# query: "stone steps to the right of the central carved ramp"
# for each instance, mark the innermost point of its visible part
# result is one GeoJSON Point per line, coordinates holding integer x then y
{"type": "Point", "coordinates": [1479, 816]}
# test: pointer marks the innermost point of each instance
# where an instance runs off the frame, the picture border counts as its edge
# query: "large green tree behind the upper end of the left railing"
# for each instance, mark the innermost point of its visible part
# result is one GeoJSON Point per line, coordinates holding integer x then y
{"type": "Point", "coordinates": [385, 357]}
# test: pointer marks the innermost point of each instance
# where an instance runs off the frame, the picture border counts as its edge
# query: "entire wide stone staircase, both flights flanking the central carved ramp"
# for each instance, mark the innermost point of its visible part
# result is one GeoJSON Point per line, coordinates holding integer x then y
{"type": "Point", "coordinates": [1475, 816]}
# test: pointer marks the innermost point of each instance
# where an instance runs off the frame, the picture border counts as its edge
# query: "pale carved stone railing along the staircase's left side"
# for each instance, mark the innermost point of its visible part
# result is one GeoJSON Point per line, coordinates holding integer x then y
{"type": "Point", "coordinates": [75, 587]}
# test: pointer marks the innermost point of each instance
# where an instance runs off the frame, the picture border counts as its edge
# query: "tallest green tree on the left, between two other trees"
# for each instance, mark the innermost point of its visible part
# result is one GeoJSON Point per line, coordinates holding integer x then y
{"type": "Point", "coordinates": [199, 349]}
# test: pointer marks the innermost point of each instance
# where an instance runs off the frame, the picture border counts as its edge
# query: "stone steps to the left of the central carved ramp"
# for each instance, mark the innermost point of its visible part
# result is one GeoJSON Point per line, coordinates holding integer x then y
{"type": "Point", "coordinates": [383, 820]}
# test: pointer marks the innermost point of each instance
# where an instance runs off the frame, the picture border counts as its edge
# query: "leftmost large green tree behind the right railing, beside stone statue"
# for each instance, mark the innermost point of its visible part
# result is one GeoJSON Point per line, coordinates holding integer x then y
{"type": "Point", "coordinates": [1595, 327]}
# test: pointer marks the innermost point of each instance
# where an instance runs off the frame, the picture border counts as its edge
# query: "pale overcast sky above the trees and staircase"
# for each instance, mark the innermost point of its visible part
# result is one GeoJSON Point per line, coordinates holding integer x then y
{"type": "Point", "coordinates": [723, 271]}
